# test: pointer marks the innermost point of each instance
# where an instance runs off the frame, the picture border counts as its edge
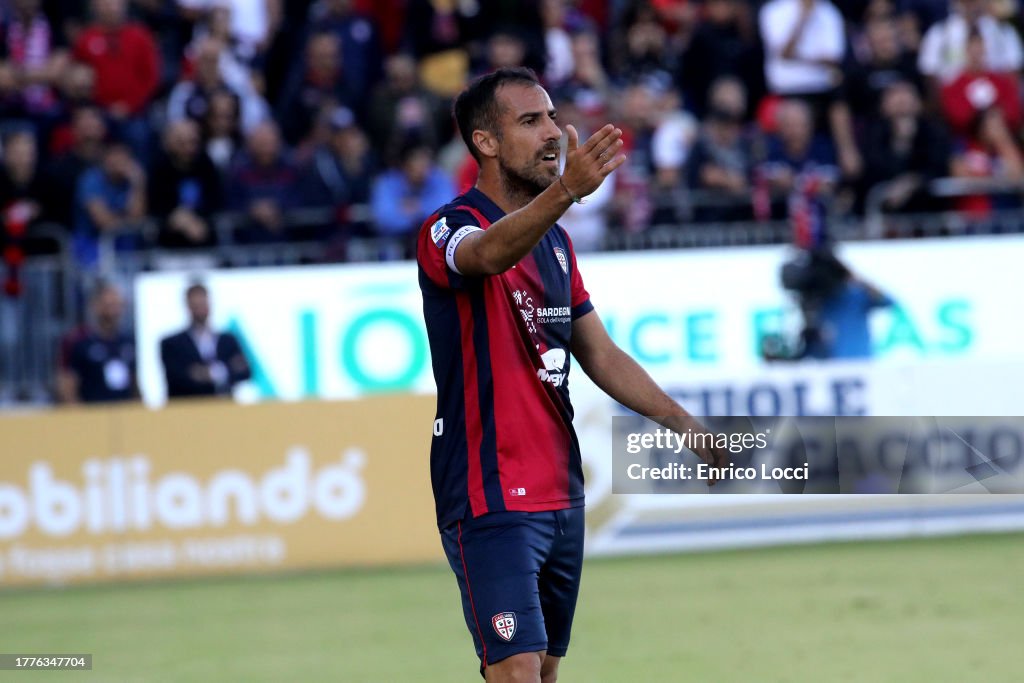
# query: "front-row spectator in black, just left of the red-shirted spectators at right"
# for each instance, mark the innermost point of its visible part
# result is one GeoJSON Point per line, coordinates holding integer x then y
{"type": "Point", "coordinates": [906, 151]}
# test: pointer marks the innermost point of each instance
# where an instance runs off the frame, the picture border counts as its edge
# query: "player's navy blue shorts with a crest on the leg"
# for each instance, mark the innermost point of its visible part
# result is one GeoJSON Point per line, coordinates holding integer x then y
{"type": "Point", "coordinates": [520, 578]}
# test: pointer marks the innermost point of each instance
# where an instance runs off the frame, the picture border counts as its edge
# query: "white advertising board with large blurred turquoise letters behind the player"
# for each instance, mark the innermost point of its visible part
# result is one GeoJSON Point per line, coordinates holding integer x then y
{"type": "Point", "coordinates": [339, 332]}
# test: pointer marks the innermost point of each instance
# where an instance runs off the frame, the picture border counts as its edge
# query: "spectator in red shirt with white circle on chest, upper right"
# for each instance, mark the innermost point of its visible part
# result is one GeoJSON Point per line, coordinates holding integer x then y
{"type": "Point", "coordinates": [979, 90]}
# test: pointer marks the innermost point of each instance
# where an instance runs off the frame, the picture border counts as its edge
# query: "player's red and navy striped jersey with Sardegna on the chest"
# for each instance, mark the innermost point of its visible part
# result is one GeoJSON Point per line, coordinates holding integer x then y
{"type": "Point", "coordinates": [500, 349]}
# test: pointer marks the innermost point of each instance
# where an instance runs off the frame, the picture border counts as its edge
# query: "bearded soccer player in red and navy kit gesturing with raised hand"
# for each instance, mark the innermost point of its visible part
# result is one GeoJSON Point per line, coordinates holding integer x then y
{"type": "Point", "coordinates": [505, 308]}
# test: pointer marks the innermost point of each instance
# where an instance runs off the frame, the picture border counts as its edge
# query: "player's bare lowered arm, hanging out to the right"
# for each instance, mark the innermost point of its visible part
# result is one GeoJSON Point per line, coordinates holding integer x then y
{"type": "Point", "coordinates": [622, 378]}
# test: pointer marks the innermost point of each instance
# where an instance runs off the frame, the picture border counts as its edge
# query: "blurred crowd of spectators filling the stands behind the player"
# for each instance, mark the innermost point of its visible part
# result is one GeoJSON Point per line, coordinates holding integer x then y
{"type": "Point", "coordinates": [180, 111]}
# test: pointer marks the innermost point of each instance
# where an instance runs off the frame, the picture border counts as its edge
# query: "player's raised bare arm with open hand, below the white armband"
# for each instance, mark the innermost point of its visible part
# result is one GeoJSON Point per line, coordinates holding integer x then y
{"type": "Point", "coordinates": [509, 240]}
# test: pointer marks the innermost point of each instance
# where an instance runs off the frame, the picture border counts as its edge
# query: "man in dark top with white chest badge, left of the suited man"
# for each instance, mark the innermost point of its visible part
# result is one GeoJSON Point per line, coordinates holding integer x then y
{"type": "Point", "coordinates": [98, 360]}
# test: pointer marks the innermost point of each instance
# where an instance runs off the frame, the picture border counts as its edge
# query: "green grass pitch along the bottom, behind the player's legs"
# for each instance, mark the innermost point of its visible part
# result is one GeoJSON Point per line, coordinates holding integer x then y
{"type": "Point", "coordinates": [928, 611]}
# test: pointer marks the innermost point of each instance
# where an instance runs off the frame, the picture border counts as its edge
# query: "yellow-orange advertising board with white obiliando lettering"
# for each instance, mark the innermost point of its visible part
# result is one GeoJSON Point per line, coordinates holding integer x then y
{"type": "Point", "coordinates": [125, 493]}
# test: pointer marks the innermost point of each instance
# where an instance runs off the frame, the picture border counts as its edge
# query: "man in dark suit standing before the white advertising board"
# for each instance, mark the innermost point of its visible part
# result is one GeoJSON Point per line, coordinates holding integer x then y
{"type": "Point", "coordinates": [199, 362]}
